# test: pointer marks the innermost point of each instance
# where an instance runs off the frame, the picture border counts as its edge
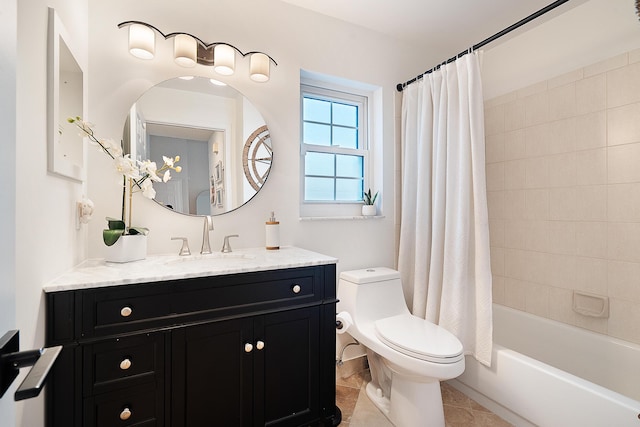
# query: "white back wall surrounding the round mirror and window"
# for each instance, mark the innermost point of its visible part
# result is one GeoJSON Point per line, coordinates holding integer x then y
{"type": "Point", "coordinates": [297, 40]}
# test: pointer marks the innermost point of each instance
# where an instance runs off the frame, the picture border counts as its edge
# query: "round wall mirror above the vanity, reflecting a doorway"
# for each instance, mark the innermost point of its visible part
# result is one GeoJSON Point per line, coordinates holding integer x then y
{"type": "Point", "coordinates": [221, 138]}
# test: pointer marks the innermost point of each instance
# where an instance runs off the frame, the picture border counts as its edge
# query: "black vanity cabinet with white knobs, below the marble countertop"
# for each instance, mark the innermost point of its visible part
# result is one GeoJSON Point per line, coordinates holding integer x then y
{"type": "Point", "coordinates": [248, 349]}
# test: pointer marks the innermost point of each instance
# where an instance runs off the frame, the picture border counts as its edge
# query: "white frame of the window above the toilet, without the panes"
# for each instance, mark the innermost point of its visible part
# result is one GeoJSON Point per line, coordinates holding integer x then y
{"type": "Point", "coordinates": [327, 91]}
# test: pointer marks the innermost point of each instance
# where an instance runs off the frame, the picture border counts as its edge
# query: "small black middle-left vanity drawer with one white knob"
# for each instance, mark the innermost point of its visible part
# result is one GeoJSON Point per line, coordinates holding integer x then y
{"type": "Point", "coordinates": [123, 362]}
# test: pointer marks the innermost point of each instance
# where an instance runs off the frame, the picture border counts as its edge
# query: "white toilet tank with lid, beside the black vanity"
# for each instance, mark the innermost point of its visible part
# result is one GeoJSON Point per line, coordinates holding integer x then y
{"type": "Point", "coordinates": [371, 293]}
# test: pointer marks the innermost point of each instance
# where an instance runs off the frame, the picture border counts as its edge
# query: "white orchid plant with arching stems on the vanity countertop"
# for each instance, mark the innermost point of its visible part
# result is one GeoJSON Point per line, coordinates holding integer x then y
{"type": "Point", "coordinates": [137, 176]}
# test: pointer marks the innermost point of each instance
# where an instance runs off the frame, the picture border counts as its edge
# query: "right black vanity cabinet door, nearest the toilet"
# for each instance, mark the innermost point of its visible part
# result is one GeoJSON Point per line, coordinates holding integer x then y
{"type": "Point", "coordinates": [287, 367]}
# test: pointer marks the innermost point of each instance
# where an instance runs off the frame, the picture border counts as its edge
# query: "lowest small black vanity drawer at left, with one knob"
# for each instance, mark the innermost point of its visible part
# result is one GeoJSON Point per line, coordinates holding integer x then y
{"type": "Point", "coordinates": [140, 406]}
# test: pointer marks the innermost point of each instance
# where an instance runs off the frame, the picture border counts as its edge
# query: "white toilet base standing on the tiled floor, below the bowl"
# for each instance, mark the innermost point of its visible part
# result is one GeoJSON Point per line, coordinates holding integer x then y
{"type": "Point", "coordinates": [412, 404]}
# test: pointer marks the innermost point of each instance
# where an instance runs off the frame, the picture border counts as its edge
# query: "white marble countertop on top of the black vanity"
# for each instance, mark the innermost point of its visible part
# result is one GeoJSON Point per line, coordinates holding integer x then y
{"type": "Point", "coordinates": [94, 273]}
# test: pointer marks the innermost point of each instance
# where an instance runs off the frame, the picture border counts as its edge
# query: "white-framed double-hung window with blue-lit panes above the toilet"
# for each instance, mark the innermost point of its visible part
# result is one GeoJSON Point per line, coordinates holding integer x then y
{"type": "Point", "coordinates": [334, 145]}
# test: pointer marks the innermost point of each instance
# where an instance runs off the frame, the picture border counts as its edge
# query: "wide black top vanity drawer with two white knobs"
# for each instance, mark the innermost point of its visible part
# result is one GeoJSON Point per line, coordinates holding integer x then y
{"type": "Point", "coordinates": [119, 309]}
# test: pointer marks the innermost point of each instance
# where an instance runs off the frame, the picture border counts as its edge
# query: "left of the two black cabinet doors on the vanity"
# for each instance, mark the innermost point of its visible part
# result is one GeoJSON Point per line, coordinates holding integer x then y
{"type": "Point", "coordinates": [211, 374]}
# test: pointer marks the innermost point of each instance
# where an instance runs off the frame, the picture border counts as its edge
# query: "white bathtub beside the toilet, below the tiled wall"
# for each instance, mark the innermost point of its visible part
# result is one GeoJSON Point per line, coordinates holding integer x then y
{"type": "Point", "coordinates": [569, 376]}
